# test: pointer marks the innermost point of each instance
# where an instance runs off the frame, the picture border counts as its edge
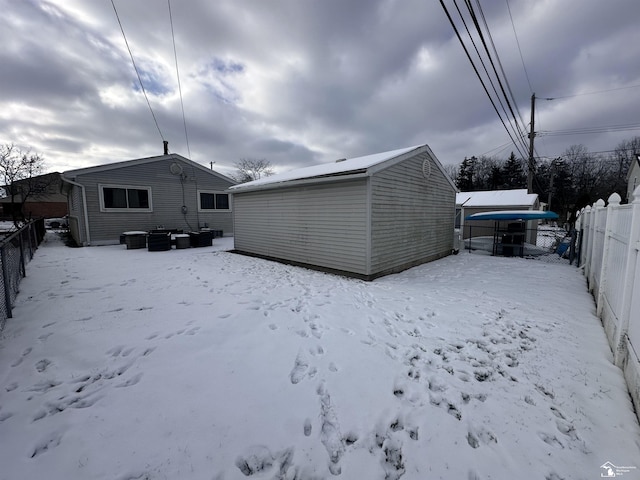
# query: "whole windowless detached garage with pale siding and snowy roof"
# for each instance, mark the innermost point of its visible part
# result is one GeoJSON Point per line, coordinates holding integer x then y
{"type": "Point", "coordinates": [364, 217]}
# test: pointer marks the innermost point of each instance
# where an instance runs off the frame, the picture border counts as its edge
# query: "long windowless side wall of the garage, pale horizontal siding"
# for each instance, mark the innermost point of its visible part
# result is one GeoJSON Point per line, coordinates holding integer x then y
{"type": "Point", "coordinates": [323, 225]}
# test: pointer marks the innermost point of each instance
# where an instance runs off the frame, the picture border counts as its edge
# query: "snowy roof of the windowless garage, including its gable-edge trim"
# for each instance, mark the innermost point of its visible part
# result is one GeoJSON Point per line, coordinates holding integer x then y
{"type": "Point", "coordinates": [338, 168]}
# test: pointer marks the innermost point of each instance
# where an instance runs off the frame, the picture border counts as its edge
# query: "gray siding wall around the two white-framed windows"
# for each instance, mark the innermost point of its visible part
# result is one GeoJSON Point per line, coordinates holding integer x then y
{"type": "Point", "coordinates": [169, 193]}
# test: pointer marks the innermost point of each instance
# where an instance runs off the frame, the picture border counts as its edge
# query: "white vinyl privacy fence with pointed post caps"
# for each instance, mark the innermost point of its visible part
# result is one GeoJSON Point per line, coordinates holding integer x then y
{"type": "Point", "coordinates": [610, 254]}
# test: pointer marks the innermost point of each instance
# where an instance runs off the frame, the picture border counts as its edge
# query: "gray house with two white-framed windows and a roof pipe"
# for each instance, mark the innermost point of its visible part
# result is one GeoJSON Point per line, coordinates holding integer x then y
{"type": "Point", "coordinates": [167, 191]}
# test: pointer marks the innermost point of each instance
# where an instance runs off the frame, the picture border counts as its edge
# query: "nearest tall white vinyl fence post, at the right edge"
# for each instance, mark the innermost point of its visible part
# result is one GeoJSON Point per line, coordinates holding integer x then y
{"type": "Point", "coordinates": [629, 288]}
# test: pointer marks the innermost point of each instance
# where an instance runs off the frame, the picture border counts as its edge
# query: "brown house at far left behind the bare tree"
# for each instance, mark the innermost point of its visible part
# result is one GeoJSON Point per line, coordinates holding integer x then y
{"type": "Point", "coordinates": [43, 197]}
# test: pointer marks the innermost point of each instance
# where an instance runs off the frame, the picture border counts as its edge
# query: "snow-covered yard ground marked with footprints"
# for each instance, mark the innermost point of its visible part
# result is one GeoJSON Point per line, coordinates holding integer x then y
{"type": "Point", "coordinates": [202, 364]}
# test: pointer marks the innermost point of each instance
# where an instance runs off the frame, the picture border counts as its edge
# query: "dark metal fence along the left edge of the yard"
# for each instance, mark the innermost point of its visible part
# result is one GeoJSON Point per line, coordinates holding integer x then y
{"type": "Point", "coordinates": [16, 251]}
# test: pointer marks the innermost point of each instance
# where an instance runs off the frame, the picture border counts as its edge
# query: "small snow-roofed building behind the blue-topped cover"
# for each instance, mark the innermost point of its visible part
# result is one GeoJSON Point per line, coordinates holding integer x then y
{"type": "Point", "coordinates": [468, 203]}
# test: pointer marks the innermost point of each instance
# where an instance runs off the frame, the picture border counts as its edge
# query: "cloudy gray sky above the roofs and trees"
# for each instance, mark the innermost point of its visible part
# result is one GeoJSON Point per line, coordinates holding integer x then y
{"type": "Point", "coordinates": [301, 82]}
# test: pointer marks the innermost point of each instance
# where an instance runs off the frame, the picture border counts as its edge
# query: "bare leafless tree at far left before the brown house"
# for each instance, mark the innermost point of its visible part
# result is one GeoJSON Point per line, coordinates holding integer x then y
{"type": "Point", "coordinates": [20, 174]}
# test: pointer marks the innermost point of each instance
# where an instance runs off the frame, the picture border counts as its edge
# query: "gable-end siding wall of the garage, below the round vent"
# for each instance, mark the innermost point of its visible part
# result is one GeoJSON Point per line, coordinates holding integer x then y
{"type": "Point", "coordinates": [412, 217]}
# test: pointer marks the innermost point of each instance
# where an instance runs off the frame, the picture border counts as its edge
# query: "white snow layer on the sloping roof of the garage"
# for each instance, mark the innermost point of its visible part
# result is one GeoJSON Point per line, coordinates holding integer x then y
{"type": "Point", "coordinates": [327, 169]}
